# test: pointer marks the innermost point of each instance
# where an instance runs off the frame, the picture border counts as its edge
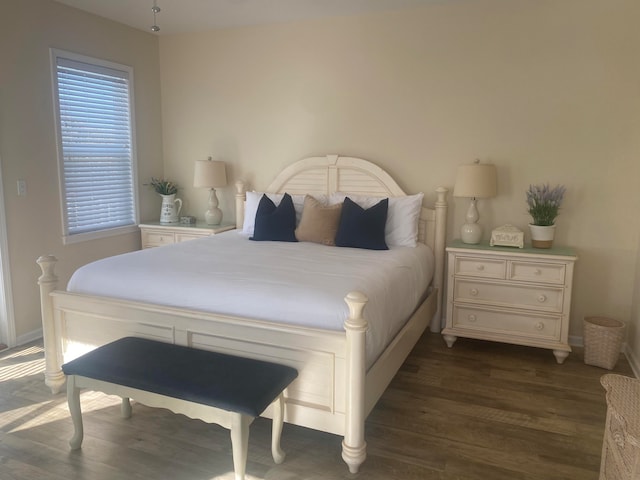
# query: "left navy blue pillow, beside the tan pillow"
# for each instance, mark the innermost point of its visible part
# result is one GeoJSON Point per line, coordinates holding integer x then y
{"type": "Point", "coordinates": [275, 223]}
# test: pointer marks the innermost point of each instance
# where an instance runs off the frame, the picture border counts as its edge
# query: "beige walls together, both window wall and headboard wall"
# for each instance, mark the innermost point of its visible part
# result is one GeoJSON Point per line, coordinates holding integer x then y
{"type": "Point", "coordinates": [545, 89]}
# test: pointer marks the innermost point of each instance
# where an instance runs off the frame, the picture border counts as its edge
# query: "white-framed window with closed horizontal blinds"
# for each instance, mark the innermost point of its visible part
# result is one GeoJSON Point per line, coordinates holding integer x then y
{"type": "Point", "coordinates": [96, 151]}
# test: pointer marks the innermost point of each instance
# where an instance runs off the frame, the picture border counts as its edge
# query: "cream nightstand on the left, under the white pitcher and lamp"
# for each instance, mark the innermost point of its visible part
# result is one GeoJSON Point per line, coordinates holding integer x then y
{"type": "Point", "coordinates": [156, 234]}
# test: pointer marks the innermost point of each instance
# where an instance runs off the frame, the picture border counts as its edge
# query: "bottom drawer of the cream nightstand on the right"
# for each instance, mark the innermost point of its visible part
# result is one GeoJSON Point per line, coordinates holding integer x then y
{"type": "Point", "coordinates": [506, 323]}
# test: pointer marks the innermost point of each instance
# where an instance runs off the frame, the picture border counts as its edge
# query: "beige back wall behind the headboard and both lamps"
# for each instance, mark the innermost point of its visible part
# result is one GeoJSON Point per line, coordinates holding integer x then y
{"type": "Point", "coordinates": [545, 89]}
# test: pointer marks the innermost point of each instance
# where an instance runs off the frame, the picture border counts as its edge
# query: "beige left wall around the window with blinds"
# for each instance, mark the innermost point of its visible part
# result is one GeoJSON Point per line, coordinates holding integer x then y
{"type": "Point", "coordinates": [28, 29]}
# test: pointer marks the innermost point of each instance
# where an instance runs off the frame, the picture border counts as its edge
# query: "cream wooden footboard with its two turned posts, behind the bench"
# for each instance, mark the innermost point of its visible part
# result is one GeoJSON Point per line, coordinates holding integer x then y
{"type": "Point", "coordinates": [67, 317]}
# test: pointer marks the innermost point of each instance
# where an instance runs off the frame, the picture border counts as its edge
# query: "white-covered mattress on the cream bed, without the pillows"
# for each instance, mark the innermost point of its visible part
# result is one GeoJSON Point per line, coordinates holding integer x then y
{"type": "Point", "coordinates": [295, 283]}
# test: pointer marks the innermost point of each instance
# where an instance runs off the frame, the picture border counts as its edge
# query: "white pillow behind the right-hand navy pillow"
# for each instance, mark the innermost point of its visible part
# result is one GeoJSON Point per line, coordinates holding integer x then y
{"type": "Point", "coordinates": [401, 229]}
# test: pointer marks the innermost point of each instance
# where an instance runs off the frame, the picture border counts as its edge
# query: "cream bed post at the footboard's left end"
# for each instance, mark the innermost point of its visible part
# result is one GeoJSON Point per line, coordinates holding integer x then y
{"type": "Point", "coordinates": [53, 376]}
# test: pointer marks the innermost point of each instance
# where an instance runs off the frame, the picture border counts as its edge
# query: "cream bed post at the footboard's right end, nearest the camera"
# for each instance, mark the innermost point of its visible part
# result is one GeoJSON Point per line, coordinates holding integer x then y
{"type": "Point", "coordinates": [354, 448]}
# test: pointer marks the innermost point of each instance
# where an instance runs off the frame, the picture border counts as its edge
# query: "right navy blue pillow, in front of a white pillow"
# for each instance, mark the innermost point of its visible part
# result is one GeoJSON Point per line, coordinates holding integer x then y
{"type": "Point", "coordinates": [360, 228]}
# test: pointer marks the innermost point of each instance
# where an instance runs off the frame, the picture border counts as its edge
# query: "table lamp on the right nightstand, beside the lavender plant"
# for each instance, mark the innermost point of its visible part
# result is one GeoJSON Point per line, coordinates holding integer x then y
{"type": "Point", "coordinates": [474, 181]}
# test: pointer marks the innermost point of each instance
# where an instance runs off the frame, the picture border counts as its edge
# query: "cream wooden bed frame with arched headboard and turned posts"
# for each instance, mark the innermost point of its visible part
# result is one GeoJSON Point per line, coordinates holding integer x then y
{"type": "Point", "coordinates": [334, 391]}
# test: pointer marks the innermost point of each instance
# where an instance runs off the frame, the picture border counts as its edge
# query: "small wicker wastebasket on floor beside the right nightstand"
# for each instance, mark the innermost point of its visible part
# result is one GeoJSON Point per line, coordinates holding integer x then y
{"type": "Point", "coordinates": [602, 341]}
